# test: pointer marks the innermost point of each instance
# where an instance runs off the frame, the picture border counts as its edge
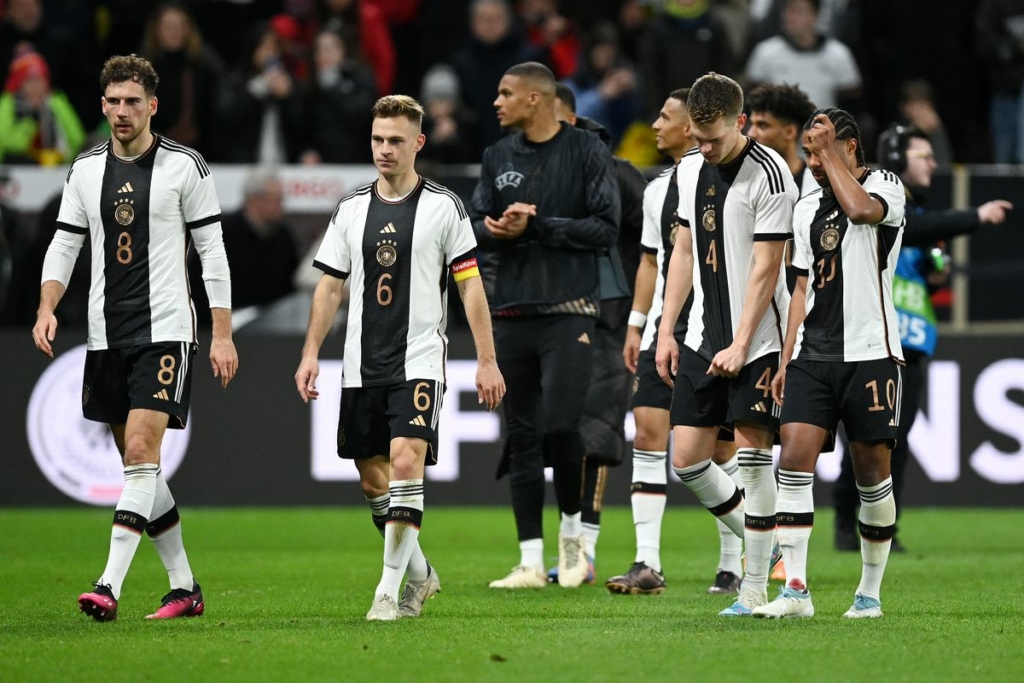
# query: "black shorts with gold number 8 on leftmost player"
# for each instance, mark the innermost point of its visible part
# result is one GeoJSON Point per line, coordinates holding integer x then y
{"type": "Point", "coordinates": [154, 377]}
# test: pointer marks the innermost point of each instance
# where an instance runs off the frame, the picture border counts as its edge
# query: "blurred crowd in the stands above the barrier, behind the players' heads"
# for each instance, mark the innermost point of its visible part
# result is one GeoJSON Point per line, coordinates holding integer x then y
{"type": "Point", "coordinates": [292, 81]}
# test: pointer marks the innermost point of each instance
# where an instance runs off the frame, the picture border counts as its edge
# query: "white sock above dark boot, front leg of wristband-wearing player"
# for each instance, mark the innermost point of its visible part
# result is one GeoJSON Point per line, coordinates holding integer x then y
{"type": "Point", "coordinates": [649, 499]}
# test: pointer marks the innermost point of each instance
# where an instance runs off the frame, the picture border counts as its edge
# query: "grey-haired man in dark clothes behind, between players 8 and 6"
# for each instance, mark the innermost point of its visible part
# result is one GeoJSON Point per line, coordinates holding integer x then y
{"type": "Point", "coordinates": [260, 245]}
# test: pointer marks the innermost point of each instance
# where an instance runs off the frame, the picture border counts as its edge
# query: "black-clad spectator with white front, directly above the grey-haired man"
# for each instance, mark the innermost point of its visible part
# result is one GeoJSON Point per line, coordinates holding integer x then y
{"type": "Point", "coordinates": [261, 118]}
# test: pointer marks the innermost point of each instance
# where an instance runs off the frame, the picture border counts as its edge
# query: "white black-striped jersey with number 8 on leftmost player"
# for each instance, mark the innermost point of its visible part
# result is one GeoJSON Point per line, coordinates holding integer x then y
{"type": "Point", "coordinates": [140, 218]}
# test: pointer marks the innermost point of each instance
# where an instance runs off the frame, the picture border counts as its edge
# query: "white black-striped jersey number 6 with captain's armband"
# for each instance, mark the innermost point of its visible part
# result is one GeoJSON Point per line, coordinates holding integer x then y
{"type": "Point", "coordinates": [397, 255]}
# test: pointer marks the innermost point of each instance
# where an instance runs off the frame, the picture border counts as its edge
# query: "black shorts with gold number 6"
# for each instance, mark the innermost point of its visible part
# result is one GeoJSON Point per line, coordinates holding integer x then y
{"type": "Point", "coordinates": [371, 417]}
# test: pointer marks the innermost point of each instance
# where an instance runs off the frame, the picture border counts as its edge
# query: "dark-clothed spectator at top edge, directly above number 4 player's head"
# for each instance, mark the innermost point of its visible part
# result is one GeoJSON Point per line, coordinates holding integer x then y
{"type": "Point", "coordinates": [685, 40]}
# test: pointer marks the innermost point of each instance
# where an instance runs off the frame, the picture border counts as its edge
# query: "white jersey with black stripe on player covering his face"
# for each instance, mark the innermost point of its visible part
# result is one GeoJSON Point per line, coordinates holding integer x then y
{"type": "Point", "coordinates": [850, 313]}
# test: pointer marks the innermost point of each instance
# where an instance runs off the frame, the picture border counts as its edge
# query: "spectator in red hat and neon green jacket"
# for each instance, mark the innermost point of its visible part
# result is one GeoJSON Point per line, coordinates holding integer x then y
{"type": "Point", "coordinates": [38, 125]}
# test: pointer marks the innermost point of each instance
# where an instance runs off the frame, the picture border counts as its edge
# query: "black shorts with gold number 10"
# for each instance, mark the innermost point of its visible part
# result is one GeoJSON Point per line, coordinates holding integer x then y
{"type": "Point", "coordinates": [866, 396]}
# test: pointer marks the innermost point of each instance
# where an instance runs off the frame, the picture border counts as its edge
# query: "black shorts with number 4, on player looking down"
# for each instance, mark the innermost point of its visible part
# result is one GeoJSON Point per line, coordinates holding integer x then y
{"type": "Point", "coordinates": [701, 400]}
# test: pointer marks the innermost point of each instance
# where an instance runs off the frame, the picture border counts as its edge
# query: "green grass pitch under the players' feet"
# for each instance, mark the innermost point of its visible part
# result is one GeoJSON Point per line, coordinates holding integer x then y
{"type": "Point", "coordinates": [287, 590]}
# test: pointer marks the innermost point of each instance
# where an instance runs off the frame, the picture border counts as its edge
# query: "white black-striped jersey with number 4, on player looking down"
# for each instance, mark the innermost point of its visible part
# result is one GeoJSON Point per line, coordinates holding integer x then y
{"type": "Point", "coordinates": [728, 209]}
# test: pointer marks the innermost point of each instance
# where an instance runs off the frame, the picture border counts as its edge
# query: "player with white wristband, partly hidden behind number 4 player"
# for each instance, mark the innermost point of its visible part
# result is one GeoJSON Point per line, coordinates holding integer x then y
{"type": "Point", "coordinates": [652, 398]}
